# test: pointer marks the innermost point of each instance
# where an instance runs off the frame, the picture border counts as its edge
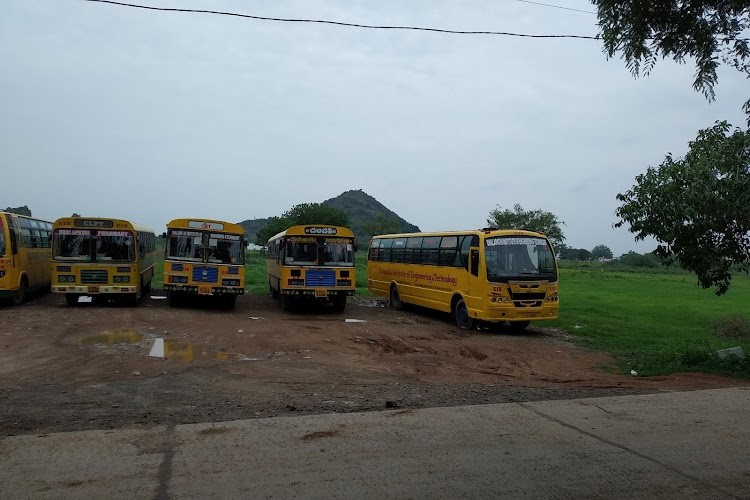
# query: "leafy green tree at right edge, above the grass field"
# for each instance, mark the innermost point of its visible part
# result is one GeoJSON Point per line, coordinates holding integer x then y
{"type": "Point", "coordinates": [697, 207]}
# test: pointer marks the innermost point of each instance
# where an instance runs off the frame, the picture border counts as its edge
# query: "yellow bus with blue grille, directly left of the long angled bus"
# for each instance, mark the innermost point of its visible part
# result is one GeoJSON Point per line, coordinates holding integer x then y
{"type": "Point", "coordinates": [313, 262]}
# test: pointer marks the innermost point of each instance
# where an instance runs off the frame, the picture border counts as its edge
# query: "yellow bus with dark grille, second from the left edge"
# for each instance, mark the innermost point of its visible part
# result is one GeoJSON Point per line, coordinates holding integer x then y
{"type": "Point", "coordinates": [102, 258]}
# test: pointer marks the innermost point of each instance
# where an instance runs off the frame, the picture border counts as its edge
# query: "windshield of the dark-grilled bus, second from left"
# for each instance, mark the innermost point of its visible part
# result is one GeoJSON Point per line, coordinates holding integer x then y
{"type": "Point", "coordinates": [84, 244]}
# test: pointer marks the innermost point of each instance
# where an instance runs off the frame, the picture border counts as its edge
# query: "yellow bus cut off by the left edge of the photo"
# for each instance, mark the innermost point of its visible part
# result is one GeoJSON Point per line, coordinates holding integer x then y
{"type": "Point", "coordinates": [24, 256]}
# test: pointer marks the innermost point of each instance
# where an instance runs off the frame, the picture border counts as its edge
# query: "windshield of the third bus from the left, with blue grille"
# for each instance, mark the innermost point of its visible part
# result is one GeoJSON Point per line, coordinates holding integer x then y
{"type": "Point", "coordinates": [198, 246]}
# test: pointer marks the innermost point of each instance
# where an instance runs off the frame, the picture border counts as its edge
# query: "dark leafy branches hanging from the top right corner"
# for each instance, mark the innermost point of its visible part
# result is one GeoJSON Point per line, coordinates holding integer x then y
{"type": "Point", "coordinates": [706, 31]}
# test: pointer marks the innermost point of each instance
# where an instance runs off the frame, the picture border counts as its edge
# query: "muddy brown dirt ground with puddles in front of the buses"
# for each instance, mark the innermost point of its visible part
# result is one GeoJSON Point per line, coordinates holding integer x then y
{"type": "Point", "coordinates": [89, 367]}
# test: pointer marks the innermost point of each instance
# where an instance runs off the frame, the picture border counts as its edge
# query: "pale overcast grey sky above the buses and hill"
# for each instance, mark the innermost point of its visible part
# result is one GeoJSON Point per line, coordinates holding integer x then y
{"type": "Point", "coordinates": [149, 116]}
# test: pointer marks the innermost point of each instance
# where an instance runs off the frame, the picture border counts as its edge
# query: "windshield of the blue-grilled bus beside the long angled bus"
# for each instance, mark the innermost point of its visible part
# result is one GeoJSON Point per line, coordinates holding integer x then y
{"type": "Point", "coordinates": [319, 251]}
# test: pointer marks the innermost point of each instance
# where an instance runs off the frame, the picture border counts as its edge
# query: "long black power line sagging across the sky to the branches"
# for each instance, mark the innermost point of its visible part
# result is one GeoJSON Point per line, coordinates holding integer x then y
{"type": "Point", "coordinates": [338, 23]}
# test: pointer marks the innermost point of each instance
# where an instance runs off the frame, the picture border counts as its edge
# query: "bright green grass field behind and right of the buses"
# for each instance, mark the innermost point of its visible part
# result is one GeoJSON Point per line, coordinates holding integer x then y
{"type": "Point", "coordinates": [655, 321]}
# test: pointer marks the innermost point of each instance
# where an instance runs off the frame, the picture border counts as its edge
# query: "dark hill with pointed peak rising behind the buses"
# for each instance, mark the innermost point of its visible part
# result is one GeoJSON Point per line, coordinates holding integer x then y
{"type": "Point", "coordinates": [362, 210]}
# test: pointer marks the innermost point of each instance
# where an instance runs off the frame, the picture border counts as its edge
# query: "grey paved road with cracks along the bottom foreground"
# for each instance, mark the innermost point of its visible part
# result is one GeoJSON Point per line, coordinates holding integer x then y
{"type": "Point", "coordinates": [670, 445]}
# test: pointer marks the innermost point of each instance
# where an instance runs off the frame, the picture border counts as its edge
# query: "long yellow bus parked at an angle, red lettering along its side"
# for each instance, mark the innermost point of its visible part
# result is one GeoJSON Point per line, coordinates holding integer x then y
{"type": "Point", "coordinates": [490, 275]}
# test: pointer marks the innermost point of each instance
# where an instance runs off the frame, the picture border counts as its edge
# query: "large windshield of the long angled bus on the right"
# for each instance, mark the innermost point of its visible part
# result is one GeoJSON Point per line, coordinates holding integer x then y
{"type": "Point", "coordinates": [518, 257]}
